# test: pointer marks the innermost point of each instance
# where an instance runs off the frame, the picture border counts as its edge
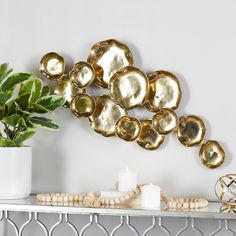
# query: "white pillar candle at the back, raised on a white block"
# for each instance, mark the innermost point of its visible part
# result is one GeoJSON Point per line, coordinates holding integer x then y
{"type": "Point", "coordinates": [127, 181]}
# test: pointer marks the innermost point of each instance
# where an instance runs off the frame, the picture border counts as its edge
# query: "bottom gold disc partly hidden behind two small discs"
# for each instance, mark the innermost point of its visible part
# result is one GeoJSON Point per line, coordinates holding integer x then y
{"type": "Point", "coordinates": [149, 138]}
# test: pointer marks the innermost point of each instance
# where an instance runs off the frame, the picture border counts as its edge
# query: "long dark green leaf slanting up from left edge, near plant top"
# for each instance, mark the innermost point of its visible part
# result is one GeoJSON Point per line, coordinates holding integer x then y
{"type": "Point", "coordinates": [12, 81]}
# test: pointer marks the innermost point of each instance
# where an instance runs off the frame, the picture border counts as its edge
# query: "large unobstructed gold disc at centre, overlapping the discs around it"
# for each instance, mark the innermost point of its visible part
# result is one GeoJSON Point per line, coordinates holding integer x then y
{"type": "Point", "coordinates": [129, 87]}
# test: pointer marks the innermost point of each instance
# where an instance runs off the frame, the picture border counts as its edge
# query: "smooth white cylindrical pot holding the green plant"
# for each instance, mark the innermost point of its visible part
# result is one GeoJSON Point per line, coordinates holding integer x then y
{"type": "Point", "coordinates": [15, 172]}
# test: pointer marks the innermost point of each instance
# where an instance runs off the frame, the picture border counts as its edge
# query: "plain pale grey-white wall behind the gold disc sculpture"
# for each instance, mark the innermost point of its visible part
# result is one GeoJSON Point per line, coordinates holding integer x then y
{"type": "Point", "coordinates": [193, 39]}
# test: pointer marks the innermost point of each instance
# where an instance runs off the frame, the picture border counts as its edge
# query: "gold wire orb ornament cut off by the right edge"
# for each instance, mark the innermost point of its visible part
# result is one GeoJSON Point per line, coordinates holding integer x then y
{"type": "Point", "coordinates": [225, 190]}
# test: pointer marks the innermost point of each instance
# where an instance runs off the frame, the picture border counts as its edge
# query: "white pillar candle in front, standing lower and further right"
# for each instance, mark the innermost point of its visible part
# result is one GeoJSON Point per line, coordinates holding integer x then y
{"type": "Point", "coordinates": [151, 196]}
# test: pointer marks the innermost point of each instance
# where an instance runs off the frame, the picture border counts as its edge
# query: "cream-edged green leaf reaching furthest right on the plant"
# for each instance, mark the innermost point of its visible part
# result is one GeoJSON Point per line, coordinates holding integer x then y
{"type": "Point", "coordinates": [51, 102]}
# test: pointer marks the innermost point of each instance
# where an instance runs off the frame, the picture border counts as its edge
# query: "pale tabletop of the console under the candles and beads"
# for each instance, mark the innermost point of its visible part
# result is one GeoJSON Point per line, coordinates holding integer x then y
{"type": "Point", "coordinates": [30, 205]}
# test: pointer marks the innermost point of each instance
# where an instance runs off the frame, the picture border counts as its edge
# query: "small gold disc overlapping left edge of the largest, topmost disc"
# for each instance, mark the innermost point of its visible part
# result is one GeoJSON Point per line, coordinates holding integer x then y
{"type": "Point", "coordinates": [82, 74]}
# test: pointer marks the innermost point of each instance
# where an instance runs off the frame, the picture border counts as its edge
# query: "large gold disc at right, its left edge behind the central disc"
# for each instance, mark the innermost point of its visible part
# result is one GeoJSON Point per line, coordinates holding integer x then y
{"type": "Point", "coordinates": [165, 91]}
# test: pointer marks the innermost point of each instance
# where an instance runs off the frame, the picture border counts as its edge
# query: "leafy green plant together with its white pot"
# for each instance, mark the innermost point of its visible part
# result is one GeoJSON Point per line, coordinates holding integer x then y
{"type": "Point", "coordinates": [22, 98]}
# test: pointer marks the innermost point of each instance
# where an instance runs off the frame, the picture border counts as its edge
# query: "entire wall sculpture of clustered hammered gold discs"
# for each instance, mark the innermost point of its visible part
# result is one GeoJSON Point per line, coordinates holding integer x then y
{"type": "Point", "coordinates": [110, 65]}
